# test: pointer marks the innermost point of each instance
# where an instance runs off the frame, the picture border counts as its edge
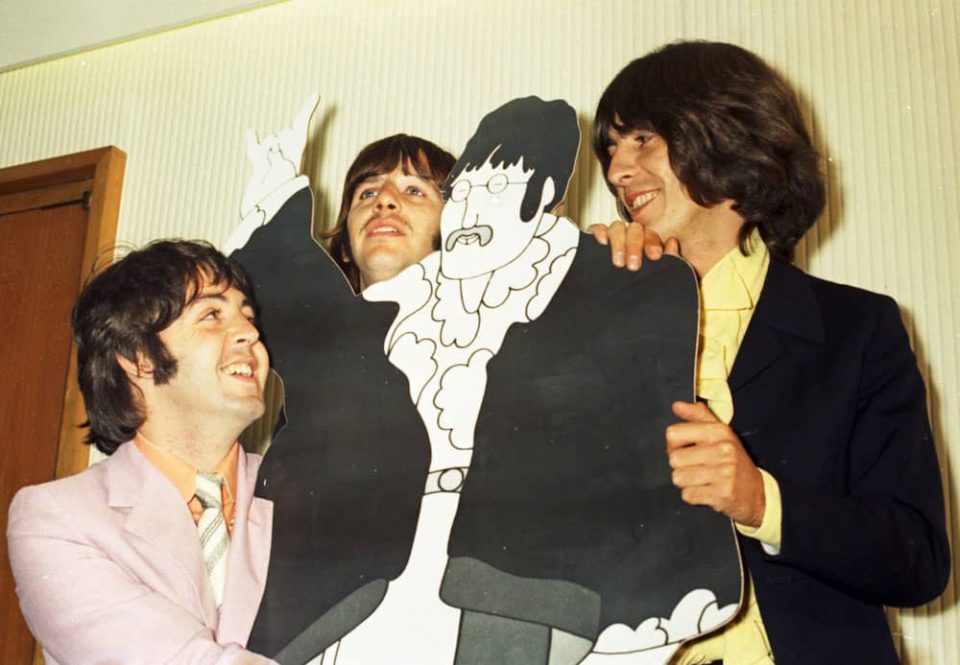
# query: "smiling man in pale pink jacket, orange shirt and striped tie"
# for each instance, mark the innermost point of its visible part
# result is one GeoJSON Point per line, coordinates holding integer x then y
{"type": "Point", "coordinates": [158, 553]}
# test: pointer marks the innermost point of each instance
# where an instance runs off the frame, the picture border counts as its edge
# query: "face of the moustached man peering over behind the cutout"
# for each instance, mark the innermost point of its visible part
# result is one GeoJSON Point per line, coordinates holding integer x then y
{"type": "Point", "coordinates": [393, 222]}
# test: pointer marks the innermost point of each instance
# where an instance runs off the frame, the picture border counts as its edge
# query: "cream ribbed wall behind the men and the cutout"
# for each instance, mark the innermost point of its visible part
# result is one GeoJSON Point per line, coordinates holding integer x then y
{"type": "Point", "coordinates": [881, 83]}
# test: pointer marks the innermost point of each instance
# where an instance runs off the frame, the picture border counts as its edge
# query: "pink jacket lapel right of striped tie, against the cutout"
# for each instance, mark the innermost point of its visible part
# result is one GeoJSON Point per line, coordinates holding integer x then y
{"type": "Point", "coordinates": [248, 558]}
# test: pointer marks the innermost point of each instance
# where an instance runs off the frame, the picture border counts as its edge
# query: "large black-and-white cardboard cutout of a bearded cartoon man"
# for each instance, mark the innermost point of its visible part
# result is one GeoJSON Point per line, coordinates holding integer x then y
{"type": "Point", "coordinates": [527, 515]}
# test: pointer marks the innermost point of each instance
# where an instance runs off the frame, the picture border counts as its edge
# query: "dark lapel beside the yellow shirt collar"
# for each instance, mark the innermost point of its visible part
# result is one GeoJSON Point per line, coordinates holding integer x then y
{"type": "Point", "coordinates": [786, 305]}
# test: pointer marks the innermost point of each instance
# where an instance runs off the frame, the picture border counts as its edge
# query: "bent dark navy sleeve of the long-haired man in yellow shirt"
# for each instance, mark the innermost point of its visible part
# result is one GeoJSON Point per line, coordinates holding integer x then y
{"type": "Point", "coordinates": [883, 541]}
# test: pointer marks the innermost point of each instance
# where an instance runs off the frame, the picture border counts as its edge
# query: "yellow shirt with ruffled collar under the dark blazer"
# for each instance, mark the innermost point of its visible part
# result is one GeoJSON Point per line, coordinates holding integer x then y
{"type": "Point", "coordinates": [729, 293]}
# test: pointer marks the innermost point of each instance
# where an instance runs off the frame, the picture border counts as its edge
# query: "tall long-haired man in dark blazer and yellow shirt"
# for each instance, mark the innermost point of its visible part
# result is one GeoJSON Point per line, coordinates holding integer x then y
{"type": "Point", "coordinates": [814, 437]}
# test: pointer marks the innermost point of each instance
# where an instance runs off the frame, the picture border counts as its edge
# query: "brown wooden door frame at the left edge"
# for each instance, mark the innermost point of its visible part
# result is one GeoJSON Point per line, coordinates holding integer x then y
{"type": "Point", "coordinates": [95, 176]}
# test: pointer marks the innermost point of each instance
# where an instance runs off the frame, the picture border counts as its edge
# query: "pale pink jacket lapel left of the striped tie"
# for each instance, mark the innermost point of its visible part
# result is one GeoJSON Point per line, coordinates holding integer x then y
{"type": "Point", "coordinates": [163, 527]}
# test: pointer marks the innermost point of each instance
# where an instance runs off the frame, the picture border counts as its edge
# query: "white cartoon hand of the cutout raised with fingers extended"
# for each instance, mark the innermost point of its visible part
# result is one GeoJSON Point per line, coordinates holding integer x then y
{"type": "Point", "coordinates": [275, 162]}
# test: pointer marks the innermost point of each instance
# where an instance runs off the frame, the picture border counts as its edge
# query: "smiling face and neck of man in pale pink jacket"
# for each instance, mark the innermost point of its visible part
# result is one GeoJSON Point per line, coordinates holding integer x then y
{"type": "Point", "coordinates": [222, 366]}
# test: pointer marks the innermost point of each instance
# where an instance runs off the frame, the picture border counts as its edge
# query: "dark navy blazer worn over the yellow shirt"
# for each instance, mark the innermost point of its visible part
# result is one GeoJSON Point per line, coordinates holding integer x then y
{"type": "Point", "coordinates": [829, 400]}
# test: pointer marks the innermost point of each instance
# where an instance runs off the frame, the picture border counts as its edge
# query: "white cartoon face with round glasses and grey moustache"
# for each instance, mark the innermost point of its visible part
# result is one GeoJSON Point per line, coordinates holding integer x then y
{"type": "Point", "coordinates": [481, 226]}
